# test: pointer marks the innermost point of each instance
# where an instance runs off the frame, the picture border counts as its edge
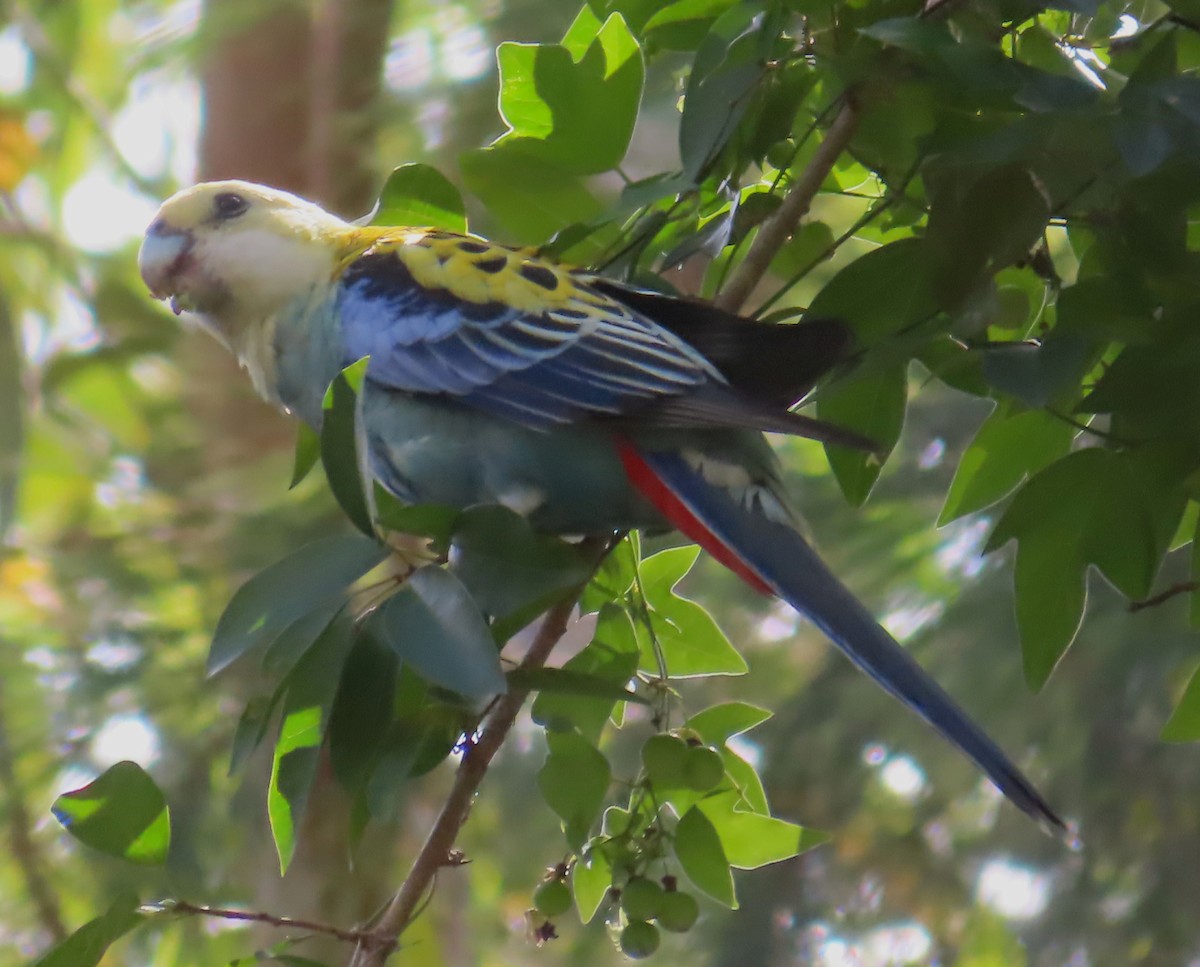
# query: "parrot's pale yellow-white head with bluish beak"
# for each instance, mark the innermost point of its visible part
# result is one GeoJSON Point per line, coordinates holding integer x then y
{"type": "Point", "coordinates": [236, 253]}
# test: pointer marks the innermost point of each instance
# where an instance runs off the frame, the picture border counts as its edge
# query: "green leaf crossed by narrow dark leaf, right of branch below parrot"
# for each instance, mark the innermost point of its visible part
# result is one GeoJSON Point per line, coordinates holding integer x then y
{"type": "Point", "coordinates": [611, 657]}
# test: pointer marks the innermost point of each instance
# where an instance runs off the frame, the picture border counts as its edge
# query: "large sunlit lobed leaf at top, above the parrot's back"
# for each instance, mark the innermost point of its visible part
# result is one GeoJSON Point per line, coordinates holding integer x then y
{"type": "Point", "coordinates": [573, 106]}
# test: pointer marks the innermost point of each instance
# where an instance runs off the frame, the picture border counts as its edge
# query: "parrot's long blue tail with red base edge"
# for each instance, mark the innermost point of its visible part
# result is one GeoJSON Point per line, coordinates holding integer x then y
{"type": "Point", "coordinates": [784, 562]}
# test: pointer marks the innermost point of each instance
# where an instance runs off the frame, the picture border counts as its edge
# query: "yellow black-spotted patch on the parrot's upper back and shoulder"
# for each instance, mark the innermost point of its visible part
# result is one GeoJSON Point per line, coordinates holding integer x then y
{"type": "Point", "coordinates": [470, 269]}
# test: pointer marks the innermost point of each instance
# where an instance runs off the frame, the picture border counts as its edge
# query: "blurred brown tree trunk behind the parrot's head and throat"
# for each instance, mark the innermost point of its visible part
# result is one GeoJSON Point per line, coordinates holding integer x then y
{"type": "Point", "coordinates": [291, 100]}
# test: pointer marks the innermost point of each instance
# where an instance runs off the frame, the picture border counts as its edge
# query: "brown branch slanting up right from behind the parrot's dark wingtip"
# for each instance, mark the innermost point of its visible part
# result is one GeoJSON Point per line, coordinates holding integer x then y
{"type": "Point", "coordinates": [777, 230]}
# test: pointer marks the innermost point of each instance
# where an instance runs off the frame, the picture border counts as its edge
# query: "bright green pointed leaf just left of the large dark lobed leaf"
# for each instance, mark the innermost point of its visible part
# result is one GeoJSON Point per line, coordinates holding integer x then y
{"type": "Point", "coordinates": [1009, 448]}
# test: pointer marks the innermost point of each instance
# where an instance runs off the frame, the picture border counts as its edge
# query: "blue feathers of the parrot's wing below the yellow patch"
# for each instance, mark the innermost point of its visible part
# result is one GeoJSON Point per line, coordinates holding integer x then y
{"type": "Point", "coordinates": [591, 358]}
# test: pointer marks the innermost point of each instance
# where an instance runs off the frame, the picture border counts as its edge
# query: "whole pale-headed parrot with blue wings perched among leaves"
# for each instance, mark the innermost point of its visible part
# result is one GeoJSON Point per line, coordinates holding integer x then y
{"type": "Point", "coordinates": [586, 405]}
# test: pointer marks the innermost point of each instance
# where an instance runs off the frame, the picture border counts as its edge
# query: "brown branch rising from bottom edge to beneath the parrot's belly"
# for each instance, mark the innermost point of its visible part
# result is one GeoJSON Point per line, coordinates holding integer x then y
{"type": "Point", "coordinates": [439, 850]}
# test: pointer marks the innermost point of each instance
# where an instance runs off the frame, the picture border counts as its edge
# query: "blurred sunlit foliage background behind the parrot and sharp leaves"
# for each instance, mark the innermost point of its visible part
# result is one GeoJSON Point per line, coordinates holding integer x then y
{"type": "Point", "coordinates": [141, 483]}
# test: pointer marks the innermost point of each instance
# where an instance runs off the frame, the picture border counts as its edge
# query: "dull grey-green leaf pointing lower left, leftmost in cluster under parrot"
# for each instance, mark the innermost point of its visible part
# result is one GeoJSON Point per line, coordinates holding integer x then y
{"type": "Point", "coordinates": [290, 590]}
